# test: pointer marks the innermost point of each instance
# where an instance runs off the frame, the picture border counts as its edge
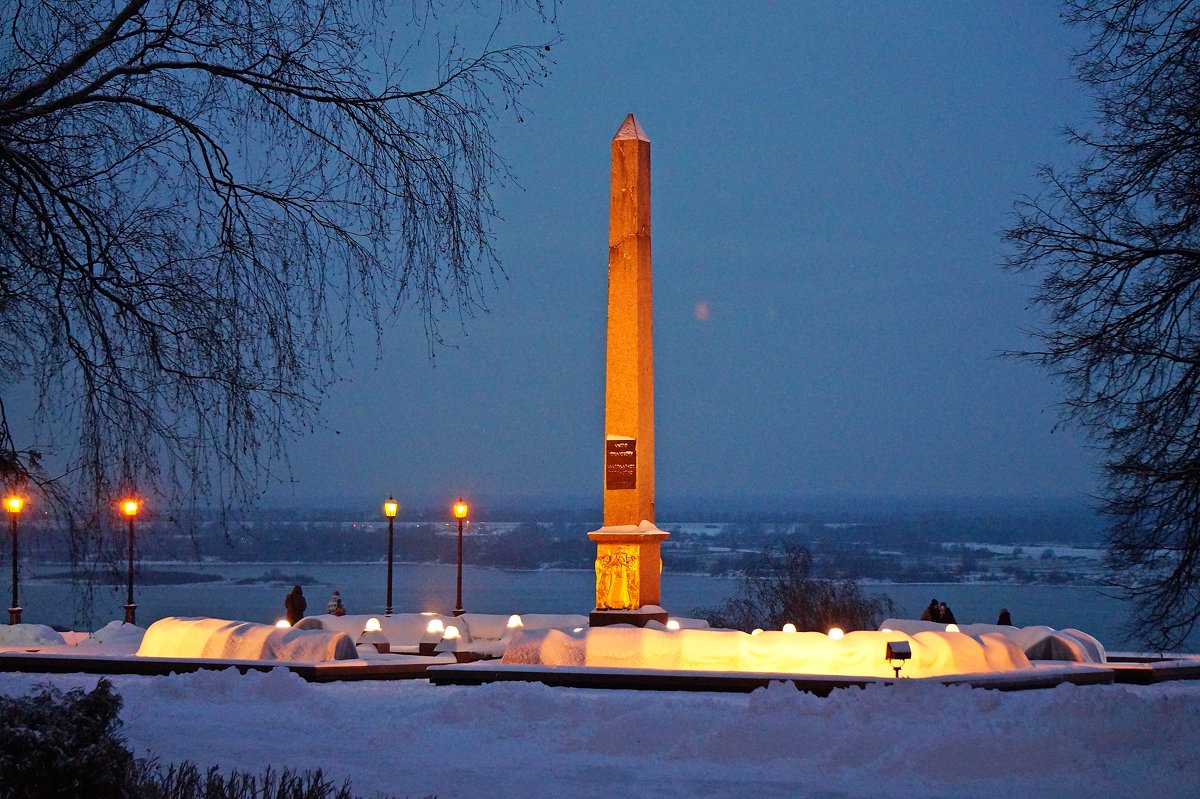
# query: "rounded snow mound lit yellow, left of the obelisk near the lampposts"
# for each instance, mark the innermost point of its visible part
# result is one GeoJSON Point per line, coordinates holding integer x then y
{"type": "Point", "coordinates": [219, 639]}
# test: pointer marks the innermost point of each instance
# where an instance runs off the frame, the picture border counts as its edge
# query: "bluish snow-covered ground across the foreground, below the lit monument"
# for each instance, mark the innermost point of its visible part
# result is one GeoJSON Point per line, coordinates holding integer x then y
{"type": "Point", "coordinates": [507, 741]}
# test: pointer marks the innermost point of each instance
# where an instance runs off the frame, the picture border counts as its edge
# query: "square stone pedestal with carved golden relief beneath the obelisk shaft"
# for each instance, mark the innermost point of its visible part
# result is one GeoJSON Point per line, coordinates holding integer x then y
{"type": "Point", "coordinates": [629, 570]}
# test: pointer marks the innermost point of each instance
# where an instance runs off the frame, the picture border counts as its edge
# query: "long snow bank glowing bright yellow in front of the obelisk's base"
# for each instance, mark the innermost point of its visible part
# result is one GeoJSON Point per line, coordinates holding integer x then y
{"type": "Point", "coordinates": [857, 654]}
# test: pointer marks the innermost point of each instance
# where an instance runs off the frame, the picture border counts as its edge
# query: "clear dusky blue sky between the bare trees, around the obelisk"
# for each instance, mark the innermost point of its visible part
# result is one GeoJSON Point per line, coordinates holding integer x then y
{"type": "Point", "coordinates": [831, 184]}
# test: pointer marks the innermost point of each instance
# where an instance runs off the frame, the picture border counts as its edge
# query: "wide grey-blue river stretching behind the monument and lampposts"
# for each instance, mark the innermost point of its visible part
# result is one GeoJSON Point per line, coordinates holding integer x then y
{"type": "Point", "coordinates": [430, 587]}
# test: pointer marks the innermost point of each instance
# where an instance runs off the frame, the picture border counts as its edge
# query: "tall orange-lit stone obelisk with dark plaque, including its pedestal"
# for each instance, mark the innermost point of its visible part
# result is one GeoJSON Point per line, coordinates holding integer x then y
{"type": "Point", "coordinates": [628, 561]}
